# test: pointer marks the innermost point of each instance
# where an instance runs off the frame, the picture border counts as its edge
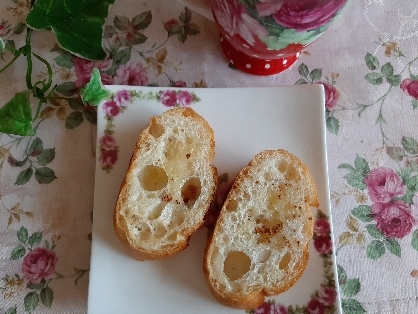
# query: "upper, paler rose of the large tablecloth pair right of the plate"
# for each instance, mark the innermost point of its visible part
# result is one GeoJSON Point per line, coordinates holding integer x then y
{"type": "Point", "coordinates": [383, 184]}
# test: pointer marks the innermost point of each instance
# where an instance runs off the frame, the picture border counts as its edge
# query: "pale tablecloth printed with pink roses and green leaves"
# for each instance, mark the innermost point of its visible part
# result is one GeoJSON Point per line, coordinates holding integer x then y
{"type": "Point", "coordinates": [367, 62]}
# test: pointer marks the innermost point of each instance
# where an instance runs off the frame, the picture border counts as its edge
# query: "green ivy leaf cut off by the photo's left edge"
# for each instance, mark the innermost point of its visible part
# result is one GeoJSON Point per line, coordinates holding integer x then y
{"type": "Point", "coordinates": [16, 115]}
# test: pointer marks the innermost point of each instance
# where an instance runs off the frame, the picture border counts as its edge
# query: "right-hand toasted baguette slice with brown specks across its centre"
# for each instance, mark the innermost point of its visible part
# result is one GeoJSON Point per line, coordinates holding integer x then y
{"type": "Point", "coordinates": [259, 246]}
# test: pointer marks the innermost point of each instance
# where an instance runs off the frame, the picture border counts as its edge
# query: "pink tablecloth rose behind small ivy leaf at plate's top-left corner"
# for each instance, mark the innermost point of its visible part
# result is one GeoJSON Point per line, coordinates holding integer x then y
{"type": "Point", "coordinates": [83, 69]}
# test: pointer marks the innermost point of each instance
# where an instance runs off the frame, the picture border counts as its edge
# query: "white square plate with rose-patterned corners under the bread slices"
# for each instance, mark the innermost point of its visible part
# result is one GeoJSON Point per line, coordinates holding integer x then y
{"type": "Point", "coordinates": [245, 121]}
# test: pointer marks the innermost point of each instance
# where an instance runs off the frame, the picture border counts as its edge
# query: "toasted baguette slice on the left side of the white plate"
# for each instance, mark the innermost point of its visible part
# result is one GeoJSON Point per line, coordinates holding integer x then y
{"type": "Point", "coordinates": [168, 187]}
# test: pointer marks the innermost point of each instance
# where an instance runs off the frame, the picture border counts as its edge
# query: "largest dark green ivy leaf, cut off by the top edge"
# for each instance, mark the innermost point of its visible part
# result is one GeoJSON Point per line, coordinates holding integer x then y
{"type": "Point", "coordinates": [78, 25]}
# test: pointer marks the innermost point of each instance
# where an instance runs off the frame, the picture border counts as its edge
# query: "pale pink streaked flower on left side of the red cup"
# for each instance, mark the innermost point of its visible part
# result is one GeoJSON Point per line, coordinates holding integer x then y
{"type": "Point", "coordinates": [236, 21]}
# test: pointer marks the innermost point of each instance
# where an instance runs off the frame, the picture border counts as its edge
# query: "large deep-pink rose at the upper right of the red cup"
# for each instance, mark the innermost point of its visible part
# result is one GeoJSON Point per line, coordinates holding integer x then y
{"type": "Point", "coordinates": [305, 15]}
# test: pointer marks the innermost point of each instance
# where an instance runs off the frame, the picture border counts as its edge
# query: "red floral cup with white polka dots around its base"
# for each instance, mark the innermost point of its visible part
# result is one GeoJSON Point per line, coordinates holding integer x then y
{"type": "Point", "coordinates": [265, 37]}
